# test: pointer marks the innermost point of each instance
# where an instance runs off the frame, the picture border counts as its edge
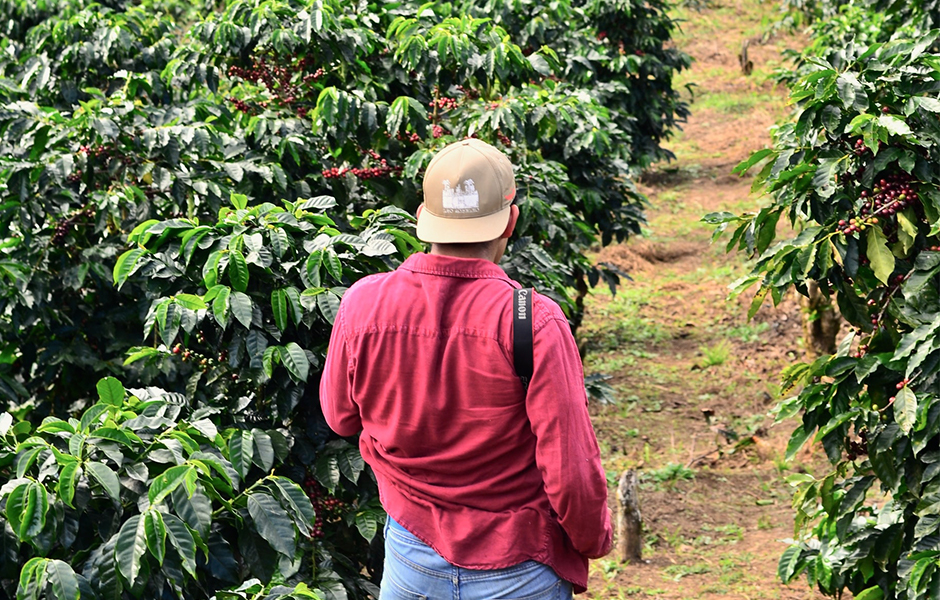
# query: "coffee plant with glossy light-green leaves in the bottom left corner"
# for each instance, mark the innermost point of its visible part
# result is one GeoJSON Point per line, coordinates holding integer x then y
{"type": "Point", "coordinates": [142, 494]}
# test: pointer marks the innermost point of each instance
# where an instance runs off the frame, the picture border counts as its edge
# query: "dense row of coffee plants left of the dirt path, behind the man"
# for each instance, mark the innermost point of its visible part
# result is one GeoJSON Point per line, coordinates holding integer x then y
{"type": "Point", "coordinates": [187, 189]}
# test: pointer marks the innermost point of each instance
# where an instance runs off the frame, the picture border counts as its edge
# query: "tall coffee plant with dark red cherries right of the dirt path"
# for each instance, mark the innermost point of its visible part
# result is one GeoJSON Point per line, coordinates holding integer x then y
{"type": "Point", "coordinates": [855, 173]}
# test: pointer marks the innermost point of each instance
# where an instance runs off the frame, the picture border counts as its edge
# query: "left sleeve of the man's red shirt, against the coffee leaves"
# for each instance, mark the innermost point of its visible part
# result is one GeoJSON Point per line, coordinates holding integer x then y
{"type": "Point", "coordinates": [339, 407]}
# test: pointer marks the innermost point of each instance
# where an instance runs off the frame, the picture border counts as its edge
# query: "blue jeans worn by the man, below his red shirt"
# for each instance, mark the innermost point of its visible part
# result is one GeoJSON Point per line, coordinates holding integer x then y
{"type": "Point", "coordinates": [414, 571]}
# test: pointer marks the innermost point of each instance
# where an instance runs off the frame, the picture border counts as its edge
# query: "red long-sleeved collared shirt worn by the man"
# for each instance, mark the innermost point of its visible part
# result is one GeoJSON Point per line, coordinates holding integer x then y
{"type": "Point", "coordinates": [487, 474]}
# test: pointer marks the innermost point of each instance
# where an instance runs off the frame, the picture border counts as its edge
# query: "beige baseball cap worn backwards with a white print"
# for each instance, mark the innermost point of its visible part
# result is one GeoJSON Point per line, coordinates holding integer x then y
{"type": "Point", "coordinates": [468, 189]}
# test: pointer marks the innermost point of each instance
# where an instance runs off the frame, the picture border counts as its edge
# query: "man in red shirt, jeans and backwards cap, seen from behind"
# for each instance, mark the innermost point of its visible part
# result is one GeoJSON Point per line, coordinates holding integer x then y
{"type": "Point", "coordinates": [492, 490]}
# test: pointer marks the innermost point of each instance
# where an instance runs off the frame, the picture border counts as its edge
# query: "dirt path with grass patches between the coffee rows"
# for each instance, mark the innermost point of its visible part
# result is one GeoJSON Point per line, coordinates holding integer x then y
{"type": "Point", "coordinates": [715, 505]}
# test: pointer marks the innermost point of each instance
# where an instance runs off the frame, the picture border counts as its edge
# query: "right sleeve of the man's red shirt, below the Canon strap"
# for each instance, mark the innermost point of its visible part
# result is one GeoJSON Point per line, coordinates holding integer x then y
{"type": "Point", "coordinates": [566, 448]}
